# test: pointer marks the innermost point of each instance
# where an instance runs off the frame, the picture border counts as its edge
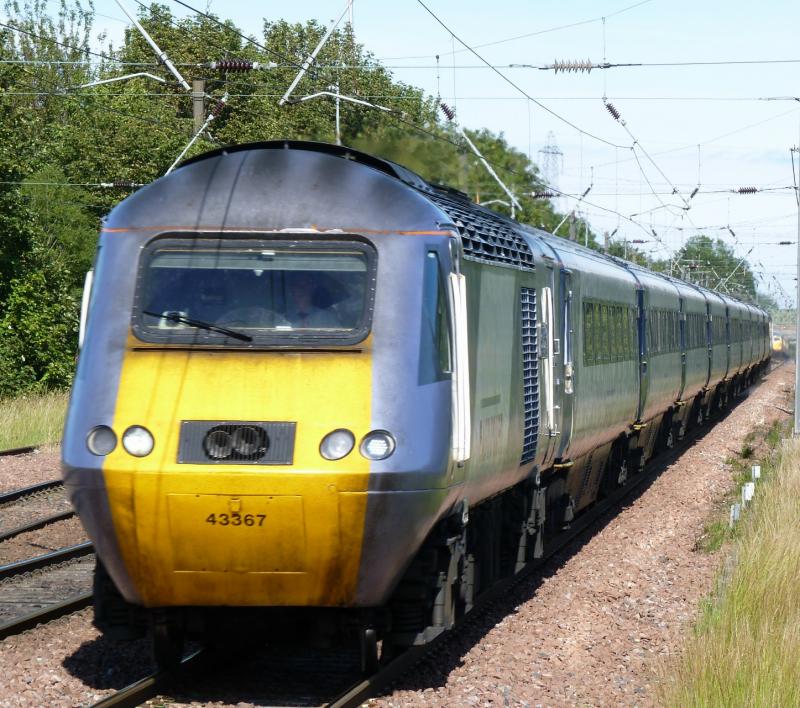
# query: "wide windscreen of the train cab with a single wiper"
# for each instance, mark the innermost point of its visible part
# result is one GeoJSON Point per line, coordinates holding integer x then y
{"type": "Point", "coordinates": [253, 292]}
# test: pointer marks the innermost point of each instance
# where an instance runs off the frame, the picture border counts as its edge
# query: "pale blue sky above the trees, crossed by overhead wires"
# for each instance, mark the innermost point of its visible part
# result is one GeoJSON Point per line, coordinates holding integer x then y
{"type": "Point", "coordinates": [722, 125]}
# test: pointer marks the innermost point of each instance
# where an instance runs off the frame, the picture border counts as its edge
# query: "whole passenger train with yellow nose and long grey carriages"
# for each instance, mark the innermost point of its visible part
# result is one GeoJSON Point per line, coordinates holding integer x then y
{"type": "Point", "coordinates": [320, 399]}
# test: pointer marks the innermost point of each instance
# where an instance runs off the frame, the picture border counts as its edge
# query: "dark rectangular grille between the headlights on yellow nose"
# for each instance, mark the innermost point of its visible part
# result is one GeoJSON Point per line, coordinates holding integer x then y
{"type": "Point", "coordinates": [214, 442]}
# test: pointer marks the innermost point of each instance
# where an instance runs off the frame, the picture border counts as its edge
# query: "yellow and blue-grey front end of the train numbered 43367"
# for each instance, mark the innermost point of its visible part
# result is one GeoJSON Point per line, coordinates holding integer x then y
{"type": "Point", "coordinates": [224, 433]}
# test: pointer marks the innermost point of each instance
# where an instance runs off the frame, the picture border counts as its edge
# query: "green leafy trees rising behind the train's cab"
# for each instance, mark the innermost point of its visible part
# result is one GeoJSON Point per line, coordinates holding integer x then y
{"type": "Point", "coordinates": [60, 129]}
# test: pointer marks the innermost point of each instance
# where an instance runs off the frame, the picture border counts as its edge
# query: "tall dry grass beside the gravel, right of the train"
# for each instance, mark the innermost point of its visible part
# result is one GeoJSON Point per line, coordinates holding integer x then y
{"type": "Point", "coordinates": [745, 650]}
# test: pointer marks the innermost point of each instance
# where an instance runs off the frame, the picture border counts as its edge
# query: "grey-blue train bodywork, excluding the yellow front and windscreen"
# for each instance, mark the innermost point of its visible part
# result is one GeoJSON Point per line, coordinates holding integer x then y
{"type": "Point", "coordinates": [576, 367]}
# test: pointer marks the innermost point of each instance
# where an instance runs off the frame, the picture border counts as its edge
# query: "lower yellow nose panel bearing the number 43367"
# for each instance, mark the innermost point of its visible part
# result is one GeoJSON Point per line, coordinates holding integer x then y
{"type": "Point", "coordinates": [299, 545]}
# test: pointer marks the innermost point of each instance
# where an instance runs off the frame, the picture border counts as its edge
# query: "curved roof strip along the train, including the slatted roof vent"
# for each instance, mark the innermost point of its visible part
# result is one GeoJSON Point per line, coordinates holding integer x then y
{"type": "Point", "coordinates": [486, 235]}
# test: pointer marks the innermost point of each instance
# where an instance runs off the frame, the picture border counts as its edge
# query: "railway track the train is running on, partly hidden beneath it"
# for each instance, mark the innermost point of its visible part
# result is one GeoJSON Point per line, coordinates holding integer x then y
{"type": "Point", "coordinates": [356, 689]}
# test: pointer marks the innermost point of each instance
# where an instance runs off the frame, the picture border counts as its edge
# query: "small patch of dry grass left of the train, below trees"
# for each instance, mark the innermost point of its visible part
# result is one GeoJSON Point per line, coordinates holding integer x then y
{"type": "Point", "coordinates": [33, 419]}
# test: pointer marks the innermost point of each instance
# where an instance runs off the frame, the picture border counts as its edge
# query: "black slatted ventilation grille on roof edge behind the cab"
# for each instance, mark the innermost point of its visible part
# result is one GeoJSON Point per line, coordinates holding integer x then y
{"type": "Point", "coordinates": [485, 237]}
